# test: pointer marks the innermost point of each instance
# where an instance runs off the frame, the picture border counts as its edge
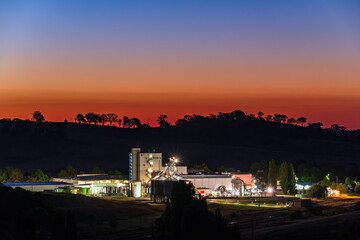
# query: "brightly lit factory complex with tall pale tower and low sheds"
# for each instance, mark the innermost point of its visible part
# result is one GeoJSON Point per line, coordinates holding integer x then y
{"type": "Point", "coordinates": [148, 177]}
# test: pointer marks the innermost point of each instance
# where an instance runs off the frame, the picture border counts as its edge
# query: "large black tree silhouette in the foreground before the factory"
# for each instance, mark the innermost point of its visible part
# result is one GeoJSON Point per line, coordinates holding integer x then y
{"type": "Point", "coordinates": [187, 216]}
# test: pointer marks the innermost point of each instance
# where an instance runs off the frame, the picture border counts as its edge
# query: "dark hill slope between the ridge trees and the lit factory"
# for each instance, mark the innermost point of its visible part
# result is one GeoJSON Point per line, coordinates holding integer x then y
{"type": "Point", "coordinates": [52, 146]}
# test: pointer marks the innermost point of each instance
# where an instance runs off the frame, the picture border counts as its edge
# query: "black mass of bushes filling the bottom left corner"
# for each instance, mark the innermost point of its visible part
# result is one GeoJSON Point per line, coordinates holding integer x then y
{"type": "Point", "coordinates": [25, 215]}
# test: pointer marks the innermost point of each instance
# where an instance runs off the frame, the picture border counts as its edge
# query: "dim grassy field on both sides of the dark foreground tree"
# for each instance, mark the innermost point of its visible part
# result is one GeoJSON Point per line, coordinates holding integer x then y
{"type": "Point", "coordinates": [128, 218]}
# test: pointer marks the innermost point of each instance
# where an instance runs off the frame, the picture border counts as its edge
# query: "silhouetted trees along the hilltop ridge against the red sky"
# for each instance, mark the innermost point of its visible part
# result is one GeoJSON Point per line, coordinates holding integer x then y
{"type": "Point", "coordinates": [113, 119]}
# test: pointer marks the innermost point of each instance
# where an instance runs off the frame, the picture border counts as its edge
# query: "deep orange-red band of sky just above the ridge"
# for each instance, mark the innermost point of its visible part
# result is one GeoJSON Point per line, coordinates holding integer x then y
{"type": "Point", "coordinates": [148, 106]}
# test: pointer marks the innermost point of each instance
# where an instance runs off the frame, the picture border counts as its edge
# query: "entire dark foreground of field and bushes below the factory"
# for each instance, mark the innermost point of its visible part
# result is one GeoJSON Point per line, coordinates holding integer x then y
{"type": "Point", "coordinates": [26, 215]}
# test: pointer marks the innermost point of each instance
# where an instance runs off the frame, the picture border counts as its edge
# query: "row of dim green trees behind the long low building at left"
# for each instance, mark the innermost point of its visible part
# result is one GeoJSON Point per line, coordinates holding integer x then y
{"type": "Point", "coordinates": [11, 174]}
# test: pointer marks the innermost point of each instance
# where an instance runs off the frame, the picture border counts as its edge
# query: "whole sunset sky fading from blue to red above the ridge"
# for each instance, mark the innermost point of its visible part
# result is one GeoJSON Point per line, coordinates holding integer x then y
{"type": "Point", "coordinates": [146, 58]}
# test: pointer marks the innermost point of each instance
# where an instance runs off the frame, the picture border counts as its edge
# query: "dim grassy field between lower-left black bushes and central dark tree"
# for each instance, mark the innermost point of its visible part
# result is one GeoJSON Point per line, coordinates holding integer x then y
{"type": "Point", "coordinates": [108, 217]}
